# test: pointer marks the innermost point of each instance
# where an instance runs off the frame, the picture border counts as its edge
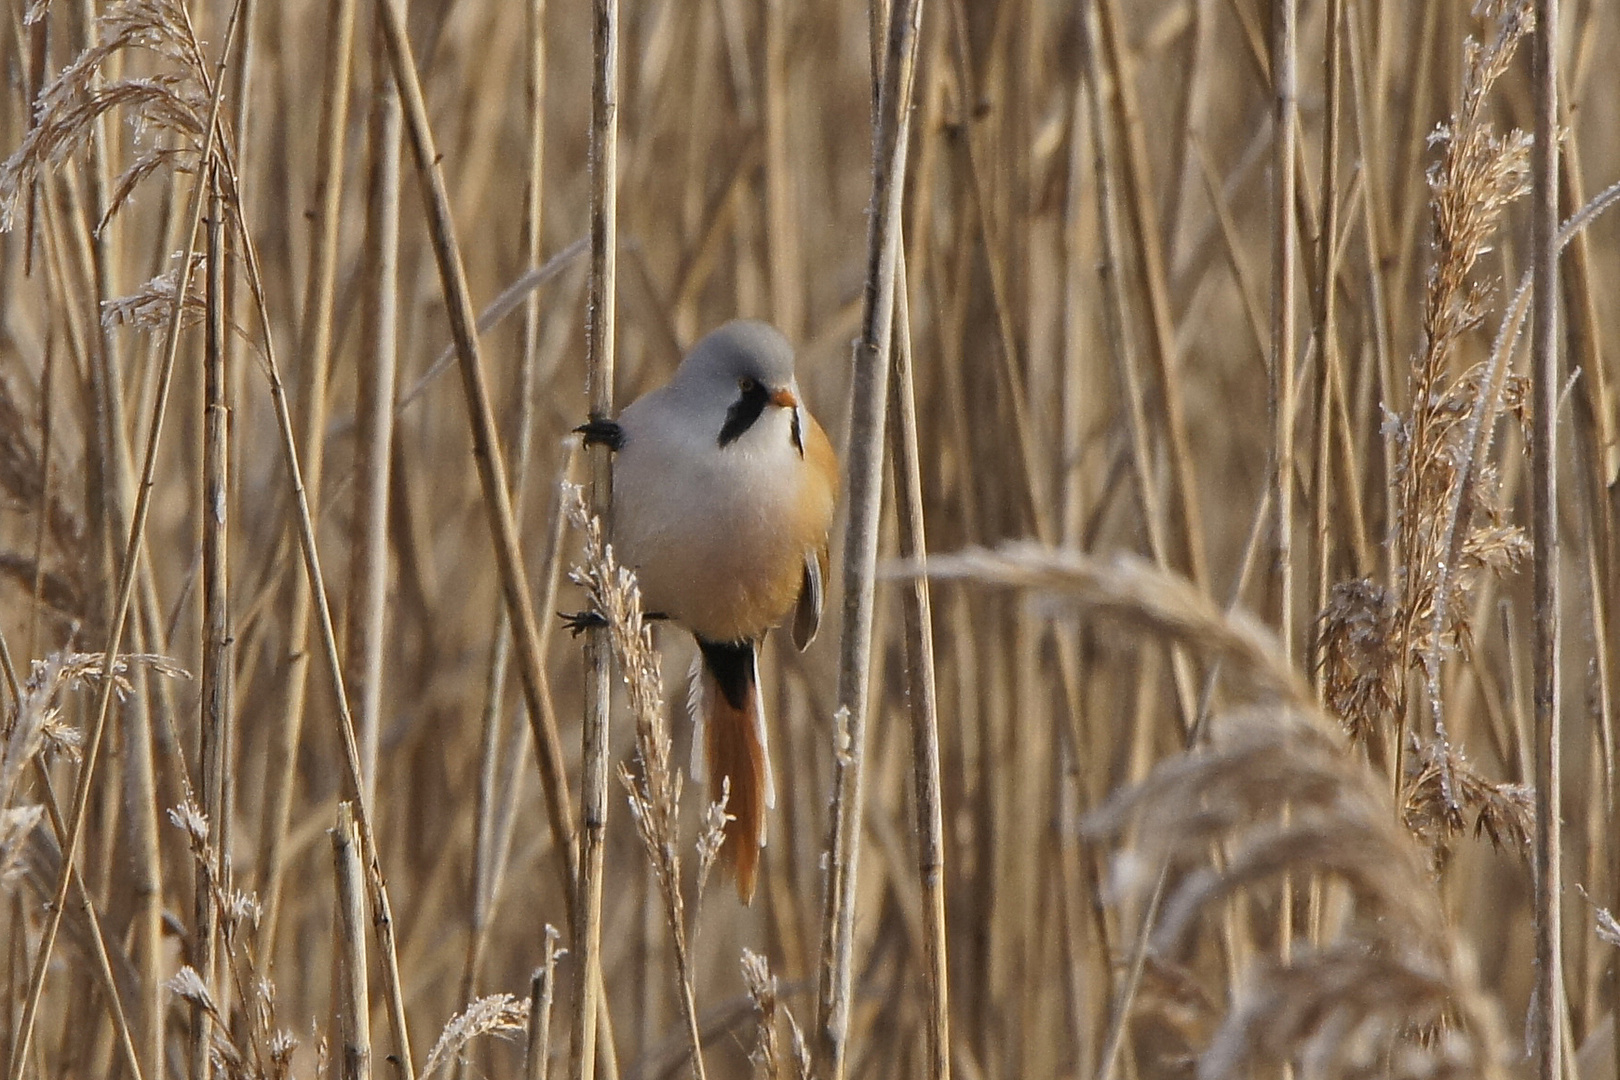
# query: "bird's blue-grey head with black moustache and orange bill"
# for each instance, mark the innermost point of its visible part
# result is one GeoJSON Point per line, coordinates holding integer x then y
{"type": "Point", "coordinates": [744, 368]}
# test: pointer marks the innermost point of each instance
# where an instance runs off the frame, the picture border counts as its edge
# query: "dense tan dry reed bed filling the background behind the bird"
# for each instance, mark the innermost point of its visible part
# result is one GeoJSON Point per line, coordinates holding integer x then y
{"type": "Point", "coordinates": [1193, 825]}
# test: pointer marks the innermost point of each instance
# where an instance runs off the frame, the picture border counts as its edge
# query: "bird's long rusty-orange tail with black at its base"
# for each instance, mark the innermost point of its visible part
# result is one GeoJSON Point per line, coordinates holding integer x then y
{"type": "Point", "coordinates": [730, 746]}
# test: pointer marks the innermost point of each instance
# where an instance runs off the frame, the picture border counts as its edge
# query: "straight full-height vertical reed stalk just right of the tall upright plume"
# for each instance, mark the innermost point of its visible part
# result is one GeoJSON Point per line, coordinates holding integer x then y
{"type": "Point", "coordinates": [1545, 540]}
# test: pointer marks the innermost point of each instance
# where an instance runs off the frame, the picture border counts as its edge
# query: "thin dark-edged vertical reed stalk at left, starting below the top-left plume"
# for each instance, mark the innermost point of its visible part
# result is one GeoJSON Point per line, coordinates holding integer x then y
{"type": "Point", "coordinates": [216, 700]}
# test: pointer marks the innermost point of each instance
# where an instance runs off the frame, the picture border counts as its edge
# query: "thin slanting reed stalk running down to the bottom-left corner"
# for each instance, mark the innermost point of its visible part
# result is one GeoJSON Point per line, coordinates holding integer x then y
{"type": "Point", "coordinates": [127, 574]}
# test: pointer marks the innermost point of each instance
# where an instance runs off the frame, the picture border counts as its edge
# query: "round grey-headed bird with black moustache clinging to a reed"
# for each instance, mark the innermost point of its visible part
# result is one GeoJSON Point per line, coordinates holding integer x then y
{"type": "Point", "coordinates": [723, 500]}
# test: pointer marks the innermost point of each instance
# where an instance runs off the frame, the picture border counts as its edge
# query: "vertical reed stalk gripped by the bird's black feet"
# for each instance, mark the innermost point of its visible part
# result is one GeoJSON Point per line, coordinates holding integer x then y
{"type": "Point", "coordinates": [599, 652]}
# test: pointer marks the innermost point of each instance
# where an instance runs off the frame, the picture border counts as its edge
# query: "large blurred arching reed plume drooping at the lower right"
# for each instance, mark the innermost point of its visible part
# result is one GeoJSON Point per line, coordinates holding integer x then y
{"type": "Point", "coordinates": [1389, 972]}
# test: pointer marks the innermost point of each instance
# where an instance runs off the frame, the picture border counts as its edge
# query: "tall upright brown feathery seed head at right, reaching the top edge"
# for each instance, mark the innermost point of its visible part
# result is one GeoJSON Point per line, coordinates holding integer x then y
{"type": "Point", "coordinates": [1449, 527]}
